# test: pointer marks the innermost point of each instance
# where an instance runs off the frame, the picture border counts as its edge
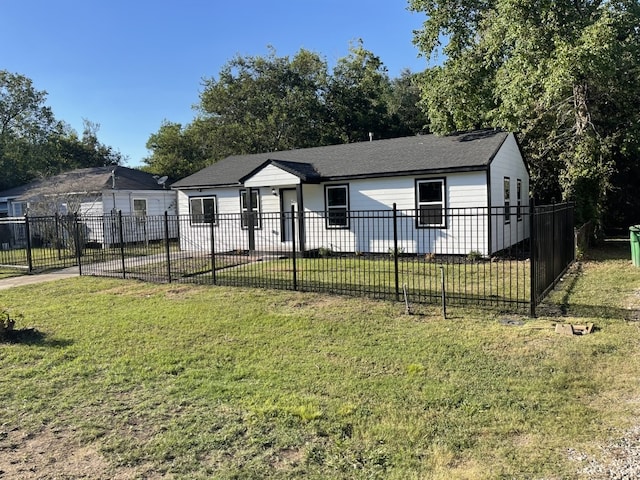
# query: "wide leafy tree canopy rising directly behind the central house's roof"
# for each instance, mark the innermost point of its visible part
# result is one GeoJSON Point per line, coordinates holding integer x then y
{"type": "Point", "coordinates": [268, 103]}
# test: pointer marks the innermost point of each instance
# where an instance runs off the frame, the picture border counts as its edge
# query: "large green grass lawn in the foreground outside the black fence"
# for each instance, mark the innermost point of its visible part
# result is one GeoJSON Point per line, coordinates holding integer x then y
{"type": "Point", "coordinates": [188, 381]}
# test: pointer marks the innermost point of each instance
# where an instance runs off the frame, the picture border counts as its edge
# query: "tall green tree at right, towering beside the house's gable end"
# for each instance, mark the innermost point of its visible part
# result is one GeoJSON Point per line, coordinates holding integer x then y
{"type": "Point", "coordinates": [564, 75]}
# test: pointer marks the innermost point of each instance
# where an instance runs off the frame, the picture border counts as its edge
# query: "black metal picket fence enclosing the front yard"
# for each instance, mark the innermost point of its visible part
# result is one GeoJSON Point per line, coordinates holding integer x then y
{"type": "Point", "coordinates": [506, 258]}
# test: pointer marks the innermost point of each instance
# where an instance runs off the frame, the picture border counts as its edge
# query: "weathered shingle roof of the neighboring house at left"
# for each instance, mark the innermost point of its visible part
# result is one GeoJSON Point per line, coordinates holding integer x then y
{"type": "Point", "coordinates": [91, 181]}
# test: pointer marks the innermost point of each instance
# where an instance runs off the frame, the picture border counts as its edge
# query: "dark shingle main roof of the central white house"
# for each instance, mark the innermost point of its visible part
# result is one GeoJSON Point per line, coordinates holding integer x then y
{"type": "Point", "coordinates": [407, 155]}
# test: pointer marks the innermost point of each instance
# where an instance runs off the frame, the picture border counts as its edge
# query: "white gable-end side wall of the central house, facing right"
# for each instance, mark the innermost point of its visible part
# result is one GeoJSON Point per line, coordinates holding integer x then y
{"type": "Point", "coordinates": [508, 163]}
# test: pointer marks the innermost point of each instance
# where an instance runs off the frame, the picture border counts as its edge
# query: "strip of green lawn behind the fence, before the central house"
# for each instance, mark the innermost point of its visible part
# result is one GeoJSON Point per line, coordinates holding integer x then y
{"type": "Point", "coordinates": [499, 282]}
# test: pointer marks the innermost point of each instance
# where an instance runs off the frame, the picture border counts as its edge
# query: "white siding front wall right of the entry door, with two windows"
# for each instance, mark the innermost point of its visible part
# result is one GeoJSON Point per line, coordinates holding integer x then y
{"type": "Point", "coordinates": [465, 192]}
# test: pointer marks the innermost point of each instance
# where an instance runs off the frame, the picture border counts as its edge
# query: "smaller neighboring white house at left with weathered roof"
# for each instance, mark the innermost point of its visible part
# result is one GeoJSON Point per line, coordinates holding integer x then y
{"type": "Point", "coordinates": [97, 195]}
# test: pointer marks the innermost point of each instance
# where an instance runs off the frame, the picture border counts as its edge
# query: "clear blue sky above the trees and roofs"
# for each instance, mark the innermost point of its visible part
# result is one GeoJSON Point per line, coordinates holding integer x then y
{"type": "Point", "coordinates": [130, 64]}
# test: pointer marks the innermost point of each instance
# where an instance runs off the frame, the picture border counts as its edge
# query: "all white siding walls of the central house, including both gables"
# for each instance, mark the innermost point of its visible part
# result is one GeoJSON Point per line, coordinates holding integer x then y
{"type": "Point", "coordinates": [466, 201]}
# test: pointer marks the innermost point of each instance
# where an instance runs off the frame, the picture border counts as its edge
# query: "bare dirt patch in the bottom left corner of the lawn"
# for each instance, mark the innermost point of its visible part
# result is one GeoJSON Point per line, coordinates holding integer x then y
{"type": "Point", "coordinates": [56, 454]}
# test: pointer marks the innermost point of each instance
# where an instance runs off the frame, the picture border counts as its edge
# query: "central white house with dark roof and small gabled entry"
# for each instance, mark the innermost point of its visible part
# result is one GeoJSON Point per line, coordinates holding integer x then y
{"type": "Point", "coordinates": [454, 194]}
